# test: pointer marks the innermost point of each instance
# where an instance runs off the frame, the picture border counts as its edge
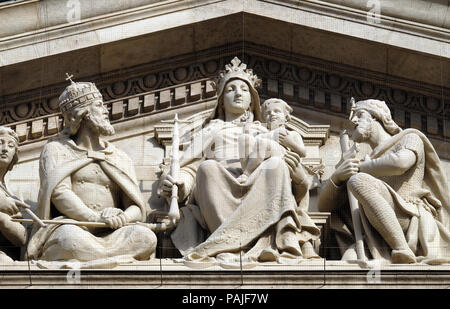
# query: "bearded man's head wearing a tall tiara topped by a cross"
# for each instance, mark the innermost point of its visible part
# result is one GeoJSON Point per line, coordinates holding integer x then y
{"type": "Point", "coordinates": [82, 101]}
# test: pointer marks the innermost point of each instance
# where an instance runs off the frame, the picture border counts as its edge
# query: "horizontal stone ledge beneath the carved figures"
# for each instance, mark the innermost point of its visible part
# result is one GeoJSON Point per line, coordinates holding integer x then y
{"type": "Point", "coordinates": [167, 274]}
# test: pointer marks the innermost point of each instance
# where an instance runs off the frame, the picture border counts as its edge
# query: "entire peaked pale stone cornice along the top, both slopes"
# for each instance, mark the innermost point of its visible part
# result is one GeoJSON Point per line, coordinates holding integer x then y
{"type": "Point", "coordinates": [170, 14]}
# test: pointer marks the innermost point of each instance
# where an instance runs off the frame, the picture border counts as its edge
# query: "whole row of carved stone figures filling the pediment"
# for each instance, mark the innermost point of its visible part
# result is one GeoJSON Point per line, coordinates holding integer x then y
{"type": "Point", "coordinates": [243, 185]}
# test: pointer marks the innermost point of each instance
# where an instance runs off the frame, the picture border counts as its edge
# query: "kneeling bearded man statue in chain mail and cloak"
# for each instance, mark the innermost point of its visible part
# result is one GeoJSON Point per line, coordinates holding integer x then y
{"type": "Point", "coordinates": [401, 190]}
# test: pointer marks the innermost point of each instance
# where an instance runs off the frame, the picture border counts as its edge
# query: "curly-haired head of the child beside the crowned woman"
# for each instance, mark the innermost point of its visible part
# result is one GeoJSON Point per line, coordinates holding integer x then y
{"type": "Point", "coordinates": [276, 112]}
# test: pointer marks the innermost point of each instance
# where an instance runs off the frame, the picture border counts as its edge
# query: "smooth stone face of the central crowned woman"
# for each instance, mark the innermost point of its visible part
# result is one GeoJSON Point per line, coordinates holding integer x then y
{"type": "Point", "coordinates": [236, 97]}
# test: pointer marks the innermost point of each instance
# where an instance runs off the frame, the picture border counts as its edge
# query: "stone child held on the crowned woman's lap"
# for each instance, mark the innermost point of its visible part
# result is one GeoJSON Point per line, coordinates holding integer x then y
{"type": "Point", "coordinates": [254, 150]}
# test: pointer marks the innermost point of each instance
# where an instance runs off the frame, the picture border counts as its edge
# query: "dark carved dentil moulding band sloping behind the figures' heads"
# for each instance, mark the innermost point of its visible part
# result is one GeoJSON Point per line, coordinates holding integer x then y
{"type": "Point", "coordinates": [315, 84]}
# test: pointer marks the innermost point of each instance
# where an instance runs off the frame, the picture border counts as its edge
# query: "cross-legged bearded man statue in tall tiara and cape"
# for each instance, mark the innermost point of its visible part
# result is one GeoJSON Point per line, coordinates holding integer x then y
{"type": "Point", "coordinates": [86, 178]}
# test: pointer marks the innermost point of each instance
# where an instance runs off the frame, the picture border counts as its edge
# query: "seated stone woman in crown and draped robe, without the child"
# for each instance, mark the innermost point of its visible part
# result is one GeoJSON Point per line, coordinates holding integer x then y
{"type": "Point", "coordinates": [224, 219]}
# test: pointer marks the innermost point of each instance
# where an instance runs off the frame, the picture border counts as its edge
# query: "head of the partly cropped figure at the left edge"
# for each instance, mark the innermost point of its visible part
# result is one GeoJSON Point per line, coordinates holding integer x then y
{"type": "Point", "coordinates": [9, 146]}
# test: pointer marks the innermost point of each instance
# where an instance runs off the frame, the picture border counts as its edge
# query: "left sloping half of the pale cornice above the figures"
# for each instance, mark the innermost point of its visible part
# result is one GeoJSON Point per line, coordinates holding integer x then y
{"type": "Point", "coordinates": [101, 29]}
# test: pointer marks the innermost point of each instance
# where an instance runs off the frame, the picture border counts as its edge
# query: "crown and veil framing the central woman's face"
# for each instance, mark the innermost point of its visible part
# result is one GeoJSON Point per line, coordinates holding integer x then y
{"type": "Point", "coordinates": [234, 72]}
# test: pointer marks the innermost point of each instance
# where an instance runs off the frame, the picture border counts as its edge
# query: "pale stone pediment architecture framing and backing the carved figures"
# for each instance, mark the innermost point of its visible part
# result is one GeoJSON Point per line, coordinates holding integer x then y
{"type": "Point", "coordinates": [159, 55]}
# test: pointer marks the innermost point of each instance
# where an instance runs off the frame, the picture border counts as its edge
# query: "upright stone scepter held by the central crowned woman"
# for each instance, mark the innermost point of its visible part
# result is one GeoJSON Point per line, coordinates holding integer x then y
{"type": "Point", "coordinates": [174, 211]}
